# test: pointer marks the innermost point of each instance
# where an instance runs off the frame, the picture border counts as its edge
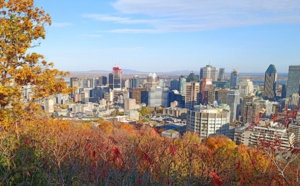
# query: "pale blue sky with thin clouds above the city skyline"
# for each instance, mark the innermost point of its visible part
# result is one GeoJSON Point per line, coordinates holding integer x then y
{"type": "Point", "coordinates": [167, 35]}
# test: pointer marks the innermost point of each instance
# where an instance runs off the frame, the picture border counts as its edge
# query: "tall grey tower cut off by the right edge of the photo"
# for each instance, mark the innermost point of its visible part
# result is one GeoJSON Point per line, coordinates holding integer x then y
{"type": "Point", "coordinates": [293, 80]}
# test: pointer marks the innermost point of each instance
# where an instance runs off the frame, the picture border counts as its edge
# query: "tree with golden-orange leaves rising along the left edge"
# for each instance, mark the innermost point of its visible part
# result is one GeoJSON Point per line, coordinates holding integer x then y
{"type": "Point", "coordinates": [22, 26]}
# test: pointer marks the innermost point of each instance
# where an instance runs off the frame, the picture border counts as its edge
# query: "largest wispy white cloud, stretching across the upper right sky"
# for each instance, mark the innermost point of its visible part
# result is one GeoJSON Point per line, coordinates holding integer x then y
{"type": "Point", "coordinates": [195, 15]}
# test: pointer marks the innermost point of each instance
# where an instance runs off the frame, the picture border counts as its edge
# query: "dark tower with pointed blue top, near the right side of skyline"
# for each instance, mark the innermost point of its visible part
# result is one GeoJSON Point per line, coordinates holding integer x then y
{"type": "Point", "coordinates": [270, 82]}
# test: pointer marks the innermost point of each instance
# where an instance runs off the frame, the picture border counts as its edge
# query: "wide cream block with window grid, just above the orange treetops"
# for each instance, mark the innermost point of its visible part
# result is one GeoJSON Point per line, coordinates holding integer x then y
{"type": "Point", "coordinates": [207, 121]}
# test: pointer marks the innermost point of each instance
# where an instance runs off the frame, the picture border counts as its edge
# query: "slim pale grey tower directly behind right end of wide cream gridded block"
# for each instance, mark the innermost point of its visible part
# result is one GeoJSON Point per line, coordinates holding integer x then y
{"type": "Point", "coordinates": [233, 100]}
